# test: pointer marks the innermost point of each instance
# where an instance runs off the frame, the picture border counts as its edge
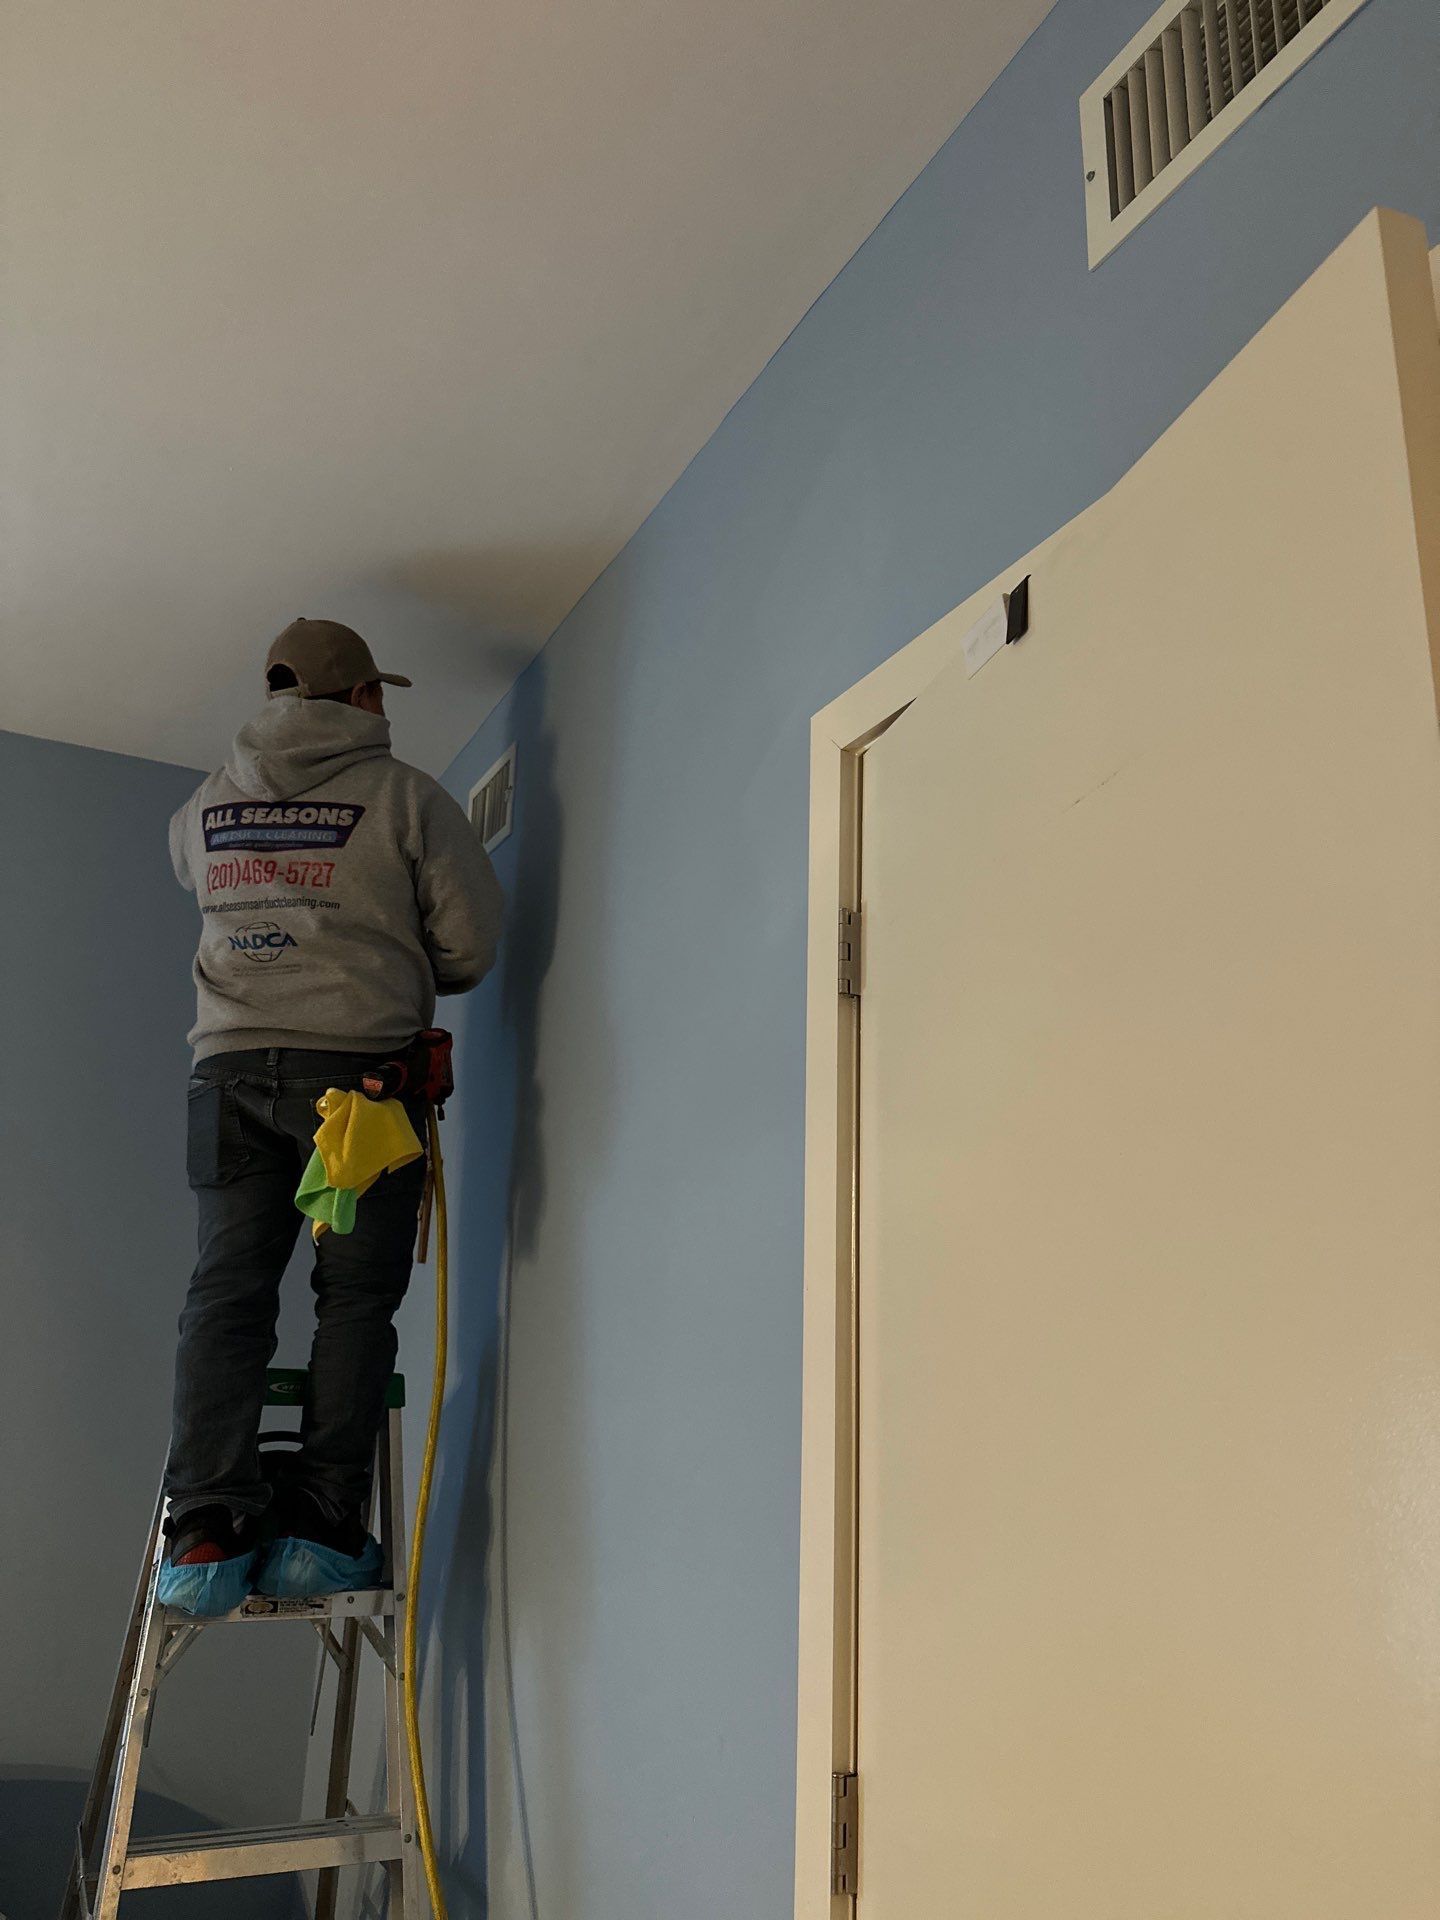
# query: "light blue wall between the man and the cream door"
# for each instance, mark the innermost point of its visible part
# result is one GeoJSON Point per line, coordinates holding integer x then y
{"type": "Point", "coordinates": [635, 1090]}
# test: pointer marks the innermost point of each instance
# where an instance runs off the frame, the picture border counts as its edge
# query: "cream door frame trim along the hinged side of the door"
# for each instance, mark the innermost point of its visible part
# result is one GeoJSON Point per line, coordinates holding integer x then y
{"type": "Point", "coordinates": [840, 734]}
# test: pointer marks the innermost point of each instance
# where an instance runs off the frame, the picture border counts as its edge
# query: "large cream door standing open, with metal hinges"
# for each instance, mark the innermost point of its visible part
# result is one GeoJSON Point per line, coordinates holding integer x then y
{"type": "Point", "coordinates": [1149, 1343]}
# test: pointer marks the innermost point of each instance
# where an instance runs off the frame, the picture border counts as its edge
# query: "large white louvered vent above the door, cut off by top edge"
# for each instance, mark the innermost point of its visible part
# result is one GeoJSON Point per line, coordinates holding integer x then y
{"type": "Point", "coordinates": [1184, 84]}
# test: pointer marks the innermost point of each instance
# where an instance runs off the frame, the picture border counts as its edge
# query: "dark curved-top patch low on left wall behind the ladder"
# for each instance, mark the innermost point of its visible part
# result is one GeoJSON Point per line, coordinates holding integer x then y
{"type": "Point", "coordinates": [37, 1840]}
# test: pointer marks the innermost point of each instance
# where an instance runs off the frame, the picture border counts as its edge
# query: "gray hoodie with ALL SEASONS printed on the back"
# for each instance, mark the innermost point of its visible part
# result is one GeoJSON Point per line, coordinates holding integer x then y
{"type": "Point", "coordinates": [341, 890]}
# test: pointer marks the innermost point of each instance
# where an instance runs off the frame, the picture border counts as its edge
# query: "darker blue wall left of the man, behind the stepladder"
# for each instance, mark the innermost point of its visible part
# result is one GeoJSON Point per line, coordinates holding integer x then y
{"type": "Point", "coordinates": [99, 1241]}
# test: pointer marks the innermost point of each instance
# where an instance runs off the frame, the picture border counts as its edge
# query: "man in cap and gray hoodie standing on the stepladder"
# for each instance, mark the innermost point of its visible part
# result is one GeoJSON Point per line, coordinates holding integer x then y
{"type": "Point", "coordinates": [341, 892]}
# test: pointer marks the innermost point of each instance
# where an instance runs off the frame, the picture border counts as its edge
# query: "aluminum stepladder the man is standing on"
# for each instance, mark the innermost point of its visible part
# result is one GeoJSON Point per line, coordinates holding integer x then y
{"type": "Point", "coordinates": [110, 1861]}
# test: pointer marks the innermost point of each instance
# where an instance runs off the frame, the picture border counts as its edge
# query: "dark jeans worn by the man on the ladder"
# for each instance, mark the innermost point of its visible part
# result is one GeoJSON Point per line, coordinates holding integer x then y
{"type": "Point", "coordinates": [252, 1130]}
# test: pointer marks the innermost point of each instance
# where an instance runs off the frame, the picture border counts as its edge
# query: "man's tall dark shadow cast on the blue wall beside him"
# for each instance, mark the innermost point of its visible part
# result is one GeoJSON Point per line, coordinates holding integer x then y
{"type": "Point", "coordinates": [498, 1153]}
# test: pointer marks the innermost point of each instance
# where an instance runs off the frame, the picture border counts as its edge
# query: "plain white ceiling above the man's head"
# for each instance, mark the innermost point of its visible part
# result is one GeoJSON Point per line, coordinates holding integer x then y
{"type": "Point", "coordinates": [400, 314]}
